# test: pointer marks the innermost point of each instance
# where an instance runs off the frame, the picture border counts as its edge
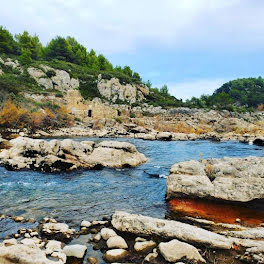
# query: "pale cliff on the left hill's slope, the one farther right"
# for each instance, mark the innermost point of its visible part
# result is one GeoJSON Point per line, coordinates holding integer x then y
{"type": "Point", "coordinates": [113, 90]}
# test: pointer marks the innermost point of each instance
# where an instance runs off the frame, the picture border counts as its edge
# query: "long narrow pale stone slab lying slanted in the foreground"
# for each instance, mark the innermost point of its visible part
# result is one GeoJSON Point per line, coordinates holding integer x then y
{"type": "Point", "coordinates": [148, 226]}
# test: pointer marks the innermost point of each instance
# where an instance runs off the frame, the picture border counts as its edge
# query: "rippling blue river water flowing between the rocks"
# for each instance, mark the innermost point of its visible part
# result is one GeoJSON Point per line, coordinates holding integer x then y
{"type": "Point", "coordinates": [88, 194]}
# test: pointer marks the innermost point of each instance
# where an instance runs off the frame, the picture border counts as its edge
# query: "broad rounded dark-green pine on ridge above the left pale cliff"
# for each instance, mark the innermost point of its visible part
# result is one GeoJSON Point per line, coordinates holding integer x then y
{"type": "Point", "coordinates": [59, 48]}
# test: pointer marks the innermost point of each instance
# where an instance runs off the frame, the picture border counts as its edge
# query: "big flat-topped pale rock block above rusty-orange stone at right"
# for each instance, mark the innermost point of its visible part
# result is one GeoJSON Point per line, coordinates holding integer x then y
{"type": "Point", "coordinates": [229, 179]}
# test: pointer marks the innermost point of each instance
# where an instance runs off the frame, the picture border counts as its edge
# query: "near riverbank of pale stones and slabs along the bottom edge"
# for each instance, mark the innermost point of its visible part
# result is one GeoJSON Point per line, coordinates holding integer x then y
{"type": "Point", "coordinates": [130, 238]}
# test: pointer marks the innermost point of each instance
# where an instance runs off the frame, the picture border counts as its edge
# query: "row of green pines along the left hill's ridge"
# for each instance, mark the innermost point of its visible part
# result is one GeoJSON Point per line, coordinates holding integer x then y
{"type": "Point", "coordinates": [29, 48]}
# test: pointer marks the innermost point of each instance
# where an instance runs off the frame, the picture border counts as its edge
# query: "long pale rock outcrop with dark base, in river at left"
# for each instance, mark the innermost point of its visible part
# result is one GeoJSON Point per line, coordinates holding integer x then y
{"type": "Point", "coordinates": [67, 155]}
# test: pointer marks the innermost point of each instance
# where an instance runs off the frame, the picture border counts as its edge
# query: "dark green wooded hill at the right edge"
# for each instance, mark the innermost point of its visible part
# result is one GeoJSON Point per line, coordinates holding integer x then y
{"type": "Point", "coordinates": [237, 95]}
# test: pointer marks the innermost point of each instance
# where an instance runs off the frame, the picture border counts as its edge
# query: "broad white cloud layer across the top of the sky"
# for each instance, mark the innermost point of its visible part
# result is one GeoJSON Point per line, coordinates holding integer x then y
{"type": "Point", "coordinates": [123, 26]}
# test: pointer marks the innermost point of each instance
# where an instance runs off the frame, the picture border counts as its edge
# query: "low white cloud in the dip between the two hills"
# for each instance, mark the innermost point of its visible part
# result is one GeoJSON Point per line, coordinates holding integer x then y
{"type": "Point", "coordinates": [188, 89]}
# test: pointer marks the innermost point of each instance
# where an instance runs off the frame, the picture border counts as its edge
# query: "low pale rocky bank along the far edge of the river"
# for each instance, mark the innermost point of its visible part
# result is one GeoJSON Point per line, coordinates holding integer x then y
{"type": "Point", "coordinates": [134, 131]}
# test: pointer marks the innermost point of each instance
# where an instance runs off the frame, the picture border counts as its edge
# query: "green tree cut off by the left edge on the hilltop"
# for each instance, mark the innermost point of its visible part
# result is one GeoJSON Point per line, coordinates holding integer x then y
{"type": "Point", "coordinates": [7, 42]}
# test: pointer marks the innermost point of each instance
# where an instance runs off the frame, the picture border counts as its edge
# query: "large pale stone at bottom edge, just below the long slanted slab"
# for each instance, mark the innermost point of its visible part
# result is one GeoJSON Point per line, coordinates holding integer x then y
{"type": "Point", "coordinates": [175, 250]}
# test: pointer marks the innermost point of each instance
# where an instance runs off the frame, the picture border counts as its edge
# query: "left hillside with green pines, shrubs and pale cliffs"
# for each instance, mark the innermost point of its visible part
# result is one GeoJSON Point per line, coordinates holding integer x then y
{"type": "Point", "coordinates": [26, 66]}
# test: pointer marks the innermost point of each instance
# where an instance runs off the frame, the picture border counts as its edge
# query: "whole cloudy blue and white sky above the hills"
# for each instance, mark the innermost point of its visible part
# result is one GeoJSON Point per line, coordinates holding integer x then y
{"type": "Point", "coordinates": [193, 46]}
